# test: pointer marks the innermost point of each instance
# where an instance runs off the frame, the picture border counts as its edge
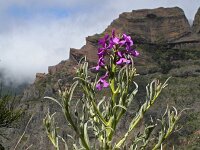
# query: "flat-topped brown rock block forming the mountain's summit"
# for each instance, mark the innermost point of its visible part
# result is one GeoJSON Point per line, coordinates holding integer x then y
{"type": "Point", "coordinates": [153, 25]}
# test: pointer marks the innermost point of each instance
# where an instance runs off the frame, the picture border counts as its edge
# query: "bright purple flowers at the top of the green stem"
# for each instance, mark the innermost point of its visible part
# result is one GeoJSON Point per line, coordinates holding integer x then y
{"type": "Point", "coordinates": [117, 47]}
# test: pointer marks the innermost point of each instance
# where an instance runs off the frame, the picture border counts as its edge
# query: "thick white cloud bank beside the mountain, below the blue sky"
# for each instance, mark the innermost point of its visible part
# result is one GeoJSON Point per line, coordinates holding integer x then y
{"type": "Point", "coordinates": [33, 46]}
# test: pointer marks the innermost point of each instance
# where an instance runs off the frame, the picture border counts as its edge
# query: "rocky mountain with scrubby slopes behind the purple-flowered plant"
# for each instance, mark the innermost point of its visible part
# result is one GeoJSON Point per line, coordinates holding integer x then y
{"type": "Point", "coordinates": [168, 47]}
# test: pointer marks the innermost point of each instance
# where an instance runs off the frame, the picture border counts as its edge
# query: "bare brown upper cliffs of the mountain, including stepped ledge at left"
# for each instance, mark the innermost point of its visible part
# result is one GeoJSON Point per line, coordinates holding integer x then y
{"type": "Point", "coordinates": [167, 26]}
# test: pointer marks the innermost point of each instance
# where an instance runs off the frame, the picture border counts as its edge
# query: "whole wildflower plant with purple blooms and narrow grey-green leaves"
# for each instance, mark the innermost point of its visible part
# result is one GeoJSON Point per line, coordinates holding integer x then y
{"type": "Point", "coordinates": [95, 121]}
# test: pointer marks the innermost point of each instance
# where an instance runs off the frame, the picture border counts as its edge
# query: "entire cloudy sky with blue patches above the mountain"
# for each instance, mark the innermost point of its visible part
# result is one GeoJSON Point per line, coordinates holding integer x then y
{"type": "Point", "coordinates": [35, 34]}
